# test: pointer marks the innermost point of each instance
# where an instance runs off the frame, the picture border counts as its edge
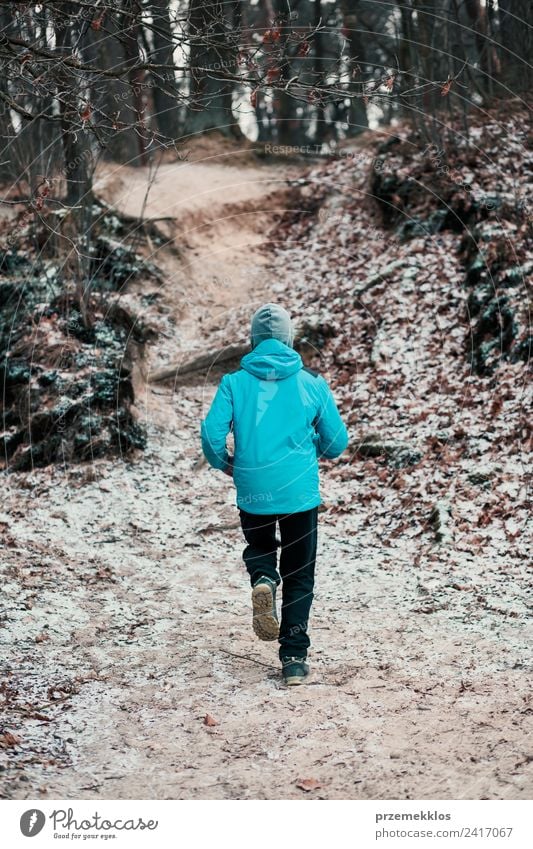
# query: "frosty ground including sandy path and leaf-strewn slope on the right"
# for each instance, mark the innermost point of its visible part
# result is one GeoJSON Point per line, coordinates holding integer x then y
{"type": "Point", "coordinates": [130, 668]}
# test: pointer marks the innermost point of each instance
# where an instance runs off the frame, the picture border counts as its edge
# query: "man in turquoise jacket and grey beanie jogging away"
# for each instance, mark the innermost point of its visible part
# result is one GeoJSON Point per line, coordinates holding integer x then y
{"type": "Point", "coordinates": [283, 417]}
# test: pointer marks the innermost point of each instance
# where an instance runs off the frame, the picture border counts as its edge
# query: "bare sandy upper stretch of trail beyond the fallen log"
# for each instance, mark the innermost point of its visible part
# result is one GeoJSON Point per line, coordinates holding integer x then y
{"type": "Point", "coordinates": [219, 209]}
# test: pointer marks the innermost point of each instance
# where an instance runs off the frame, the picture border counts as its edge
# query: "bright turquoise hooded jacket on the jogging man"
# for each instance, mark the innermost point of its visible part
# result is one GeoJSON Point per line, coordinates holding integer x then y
{"type": "Point", "coordinates": [283, 418]}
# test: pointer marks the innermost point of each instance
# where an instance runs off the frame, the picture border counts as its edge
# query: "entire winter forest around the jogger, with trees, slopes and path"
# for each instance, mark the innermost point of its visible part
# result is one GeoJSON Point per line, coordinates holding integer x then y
{"type": "Point", "coordinates": [166, 167]}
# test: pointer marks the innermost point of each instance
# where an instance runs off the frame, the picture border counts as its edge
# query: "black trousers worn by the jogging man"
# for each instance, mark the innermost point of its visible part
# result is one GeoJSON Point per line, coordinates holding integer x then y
{"type": "Point", "coordinates": [298, 533]}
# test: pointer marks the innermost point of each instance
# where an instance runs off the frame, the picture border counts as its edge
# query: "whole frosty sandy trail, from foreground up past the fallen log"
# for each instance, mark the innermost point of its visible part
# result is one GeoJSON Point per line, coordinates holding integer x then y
{"type": "Point", "coordinates": [128, 614]}
